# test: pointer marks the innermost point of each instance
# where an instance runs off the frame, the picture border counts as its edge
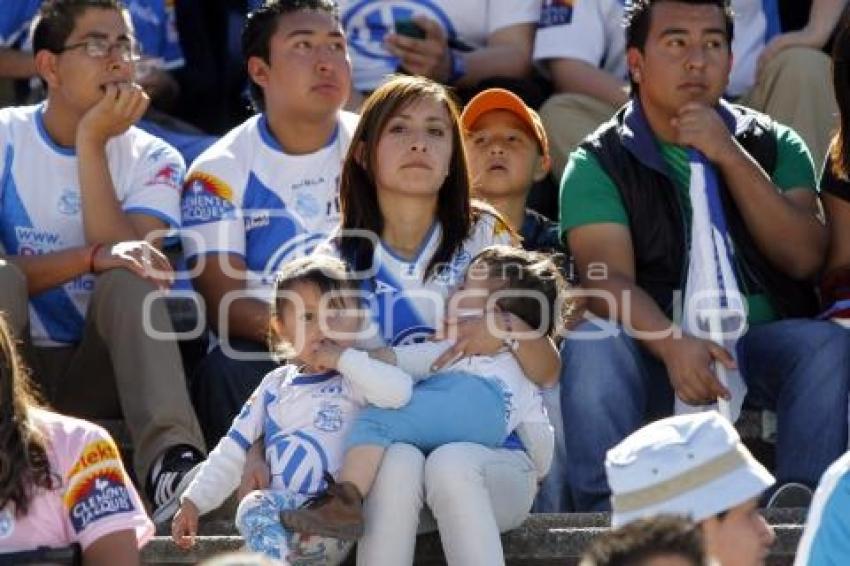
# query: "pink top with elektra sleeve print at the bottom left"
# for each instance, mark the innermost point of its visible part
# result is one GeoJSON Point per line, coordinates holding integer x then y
{"type": "Point", "coordinates": [94, 496]}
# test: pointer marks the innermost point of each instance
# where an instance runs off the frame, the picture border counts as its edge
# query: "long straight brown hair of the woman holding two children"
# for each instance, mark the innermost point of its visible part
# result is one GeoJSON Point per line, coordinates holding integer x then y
{"type": "Point", "coordinates": [358, 194]}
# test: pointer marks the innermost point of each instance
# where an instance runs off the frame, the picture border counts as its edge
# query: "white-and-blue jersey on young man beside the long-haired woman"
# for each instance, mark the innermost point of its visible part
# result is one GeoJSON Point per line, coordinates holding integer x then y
{"type": "Point", "coordinates": [245, 196]}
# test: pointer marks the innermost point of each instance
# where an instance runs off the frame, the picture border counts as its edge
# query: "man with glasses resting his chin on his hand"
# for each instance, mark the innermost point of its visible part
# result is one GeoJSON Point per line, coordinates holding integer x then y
{"type": "Point", "coordinates": [85, 198]}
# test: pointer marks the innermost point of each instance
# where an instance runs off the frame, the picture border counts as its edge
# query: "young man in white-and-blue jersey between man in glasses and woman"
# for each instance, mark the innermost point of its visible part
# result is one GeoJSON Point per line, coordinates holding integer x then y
{"type": "Point", "coordinates": [266, 192]}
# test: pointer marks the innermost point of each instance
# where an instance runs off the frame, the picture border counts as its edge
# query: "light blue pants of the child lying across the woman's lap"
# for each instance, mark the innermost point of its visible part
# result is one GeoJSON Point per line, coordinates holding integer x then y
{"type": "Point", "coordinates": [447, 407]}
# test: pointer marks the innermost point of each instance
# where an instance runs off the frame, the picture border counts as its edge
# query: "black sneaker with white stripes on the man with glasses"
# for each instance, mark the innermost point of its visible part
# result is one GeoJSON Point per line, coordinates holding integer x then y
{"type": "Point", "coordinates": [170, 476]}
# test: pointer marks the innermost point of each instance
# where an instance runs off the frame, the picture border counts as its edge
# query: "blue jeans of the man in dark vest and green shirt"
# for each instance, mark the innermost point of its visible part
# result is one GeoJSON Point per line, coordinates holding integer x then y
{"type": "Point", "coordinates": [611, 386]}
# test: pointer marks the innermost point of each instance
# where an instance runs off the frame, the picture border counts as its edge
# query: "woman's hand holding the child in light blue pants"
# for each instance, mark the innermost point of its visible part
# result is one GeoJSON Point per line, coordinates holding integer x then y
{"type": "Point", "coordinates": [472, 336]}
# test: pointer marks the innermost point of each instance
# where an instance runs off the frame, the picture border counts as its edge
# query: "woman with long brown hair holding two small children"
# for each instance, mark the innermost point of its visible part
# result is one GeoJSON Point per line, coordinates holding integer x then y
{"type": "Point", "coordinates": [409, 227]}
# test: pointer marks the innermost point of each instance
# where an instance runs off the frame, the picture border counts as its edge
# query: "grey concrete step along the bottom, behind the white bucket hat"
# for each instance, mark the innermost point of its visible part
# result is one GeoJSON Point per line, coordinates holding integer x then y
{"type": "Point", "coordinates": [543, 540]}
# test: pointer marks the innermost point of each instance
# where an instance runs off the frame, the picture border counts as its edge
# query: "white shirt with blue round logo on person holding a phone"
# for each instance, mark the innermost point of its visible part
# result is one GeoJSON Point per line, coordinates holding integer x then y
{"type": "Point", "coordinates": [366, 22]}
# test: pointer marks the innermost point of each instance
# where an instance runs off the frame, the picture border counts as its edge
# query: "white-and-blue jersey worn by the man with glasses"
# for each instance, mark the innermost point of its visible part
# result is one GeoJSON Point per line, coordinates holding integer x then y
{"type": "Point", "coordinates": [40, 206]}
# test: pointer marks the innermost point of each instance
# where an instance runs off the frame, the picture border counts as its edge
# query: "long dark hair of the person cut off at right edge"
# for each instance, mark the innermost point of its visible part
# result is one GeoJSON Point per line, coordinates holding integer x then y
{"type": "Point", "coordinates": [840, 148]}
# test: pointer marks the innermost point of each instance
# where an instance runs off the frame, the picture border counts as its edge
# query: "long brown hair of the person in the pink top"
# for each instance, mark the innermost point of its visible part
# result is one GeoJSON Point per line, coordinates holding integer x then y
{"type": "Point", "coordinates": [24, 466]}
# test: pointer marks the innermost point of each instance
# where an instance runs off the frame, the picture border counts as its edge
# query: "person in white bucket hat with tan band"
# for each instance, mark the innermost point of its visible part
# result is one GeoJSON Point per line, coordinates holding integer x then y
{"type": "Point", "coordinates": [695, 466]}
